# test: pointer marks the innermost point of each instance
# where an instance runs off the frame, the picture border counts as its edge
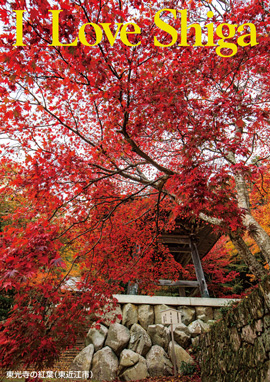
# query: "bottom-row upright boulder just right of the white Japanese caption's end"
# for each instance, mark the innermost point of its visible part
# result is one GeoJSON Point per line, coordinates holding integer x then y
{"type": "Point", "coordinates": [104, 365]}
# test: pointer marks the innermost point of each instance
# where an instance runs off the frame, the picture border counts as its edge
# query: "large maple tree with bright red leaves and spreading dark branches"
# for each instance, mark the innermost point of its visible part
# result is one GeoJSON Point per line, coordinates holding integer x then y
{"type": "Point", "coordinates": [114, 135]}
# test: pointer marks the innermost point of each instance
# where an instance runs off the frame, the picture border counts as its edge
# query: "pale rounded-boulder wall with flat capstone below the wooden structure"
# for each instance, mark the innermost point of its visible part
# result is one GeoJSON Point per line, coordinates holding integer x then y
{"type": "Point", "coordinates": [139, 345]}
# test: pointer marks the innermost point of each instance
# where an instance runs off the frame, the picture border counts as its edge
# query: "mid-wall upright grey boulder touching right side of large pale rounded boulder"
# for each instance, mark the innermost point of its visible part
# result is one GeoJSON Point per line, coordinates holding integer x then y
{"type": "Point", "coordinates": [140, 341]}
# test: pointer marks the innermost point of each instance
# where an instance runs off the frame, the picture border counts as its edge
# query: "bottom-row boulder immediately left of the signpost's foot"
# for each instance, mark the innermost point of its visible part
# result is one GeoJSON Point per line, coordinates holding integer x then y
{"type": "Point", "coordinates": [158, 362]}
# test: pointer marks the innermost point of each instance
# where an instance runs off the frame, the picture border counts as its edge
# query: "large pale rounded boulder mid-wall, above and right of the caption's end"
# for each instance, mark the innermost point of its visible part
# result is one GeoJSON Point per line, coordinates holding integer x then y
{"type": "Point", "coordinates": [117, 338]}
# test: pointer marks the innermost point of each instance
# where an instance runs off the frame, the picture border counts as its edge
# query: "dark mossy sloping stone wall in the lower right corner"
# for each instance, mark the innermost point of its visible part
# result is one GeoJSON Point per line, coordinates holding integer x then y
{"type": "Point", "coordinates": [238, 347]}
